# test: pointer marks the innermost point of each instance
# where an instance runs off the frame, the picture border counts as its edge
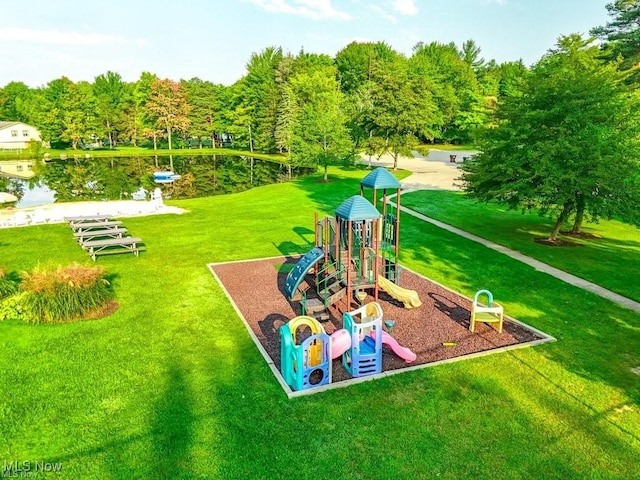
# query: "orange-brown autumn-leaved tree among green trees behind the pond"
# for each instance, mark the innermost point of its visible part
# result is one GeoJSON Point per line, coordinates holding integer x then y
{"type": "Point", "coordinates": [168, 107]}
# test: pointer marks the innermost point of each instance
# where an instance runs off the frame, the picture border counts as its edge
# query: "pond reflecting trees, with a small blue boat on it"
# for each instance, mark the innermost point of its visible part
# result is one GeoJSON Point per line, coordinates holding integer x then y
{"type": "Point", "coordinates": [119, 178]}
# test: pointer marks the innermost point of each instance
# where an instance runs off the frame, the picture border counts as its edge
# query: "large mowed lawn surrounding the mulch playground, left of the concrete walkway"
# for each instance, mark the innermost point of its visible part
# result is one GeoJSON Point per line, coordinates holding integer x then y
{"type": "Point", "coordinates": [171, 385]}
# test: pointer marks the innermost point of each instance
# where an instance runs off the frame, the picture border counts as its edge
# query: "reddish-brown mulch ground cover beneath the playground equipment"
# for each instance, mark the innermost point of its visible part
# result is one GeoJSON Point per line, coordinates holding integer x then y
{"type": "Point", "coordinates": [256, 287]}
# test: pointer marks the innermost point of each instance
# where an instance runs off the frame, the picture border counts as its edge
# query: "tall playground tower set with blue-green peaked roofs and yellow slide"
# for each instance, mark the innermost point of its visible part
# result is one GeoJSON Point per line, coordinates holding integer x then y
{"type": "Point", "coordinates": [355, 252]}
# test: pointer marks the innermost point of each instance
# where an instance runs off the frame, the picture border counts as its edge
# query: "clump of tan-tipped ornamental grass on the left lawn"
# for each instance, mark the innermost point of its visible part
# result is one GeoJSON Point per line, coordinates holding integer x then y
{"type": "Point", "coordinates": [64, 294]}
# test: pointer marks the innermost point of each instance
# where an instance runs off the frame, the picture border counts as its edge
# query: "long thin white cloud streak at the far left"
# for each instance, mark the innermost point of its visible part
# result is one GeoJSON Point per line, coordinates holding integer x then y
{"type": "Point", "coordinates": [65, 38]}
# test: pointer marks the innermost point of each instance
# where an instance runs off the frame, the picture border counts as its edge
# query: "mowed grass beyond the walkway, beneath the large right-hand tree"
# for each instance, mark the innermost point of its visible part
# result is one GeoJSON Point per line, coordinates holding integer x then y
{"type": "Point", "coordinates": [610, 259]}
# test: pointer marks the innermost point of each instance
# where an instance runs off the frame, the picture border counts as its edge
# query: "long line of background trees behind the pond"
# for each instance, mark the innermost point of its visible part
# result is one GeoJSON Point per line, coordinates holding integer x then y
{"type": "Point", "coordinates": [368, 96]}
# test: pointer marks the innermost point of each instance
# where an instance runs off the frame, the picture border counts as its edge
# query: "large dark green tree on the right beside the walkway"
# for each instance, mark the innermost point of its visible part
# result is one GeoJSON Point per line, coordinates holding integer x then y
{"type": "Point", "coordinates": [568, 144]}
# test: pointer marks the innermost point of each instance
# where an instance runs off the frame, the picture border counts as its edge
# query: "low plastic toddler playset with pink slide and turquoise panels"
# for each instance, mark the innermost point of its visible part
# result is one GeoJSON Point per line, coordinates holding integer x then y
{"type": "Point", "coordinates": [308, 364]}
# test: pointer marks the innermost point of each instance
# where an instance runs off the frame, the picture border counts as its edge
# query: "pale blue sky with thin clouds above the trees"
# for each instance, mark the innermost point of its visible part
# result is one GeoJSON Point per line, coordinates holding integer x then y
{"type": "Point", "coordinates": [41, 40]}
